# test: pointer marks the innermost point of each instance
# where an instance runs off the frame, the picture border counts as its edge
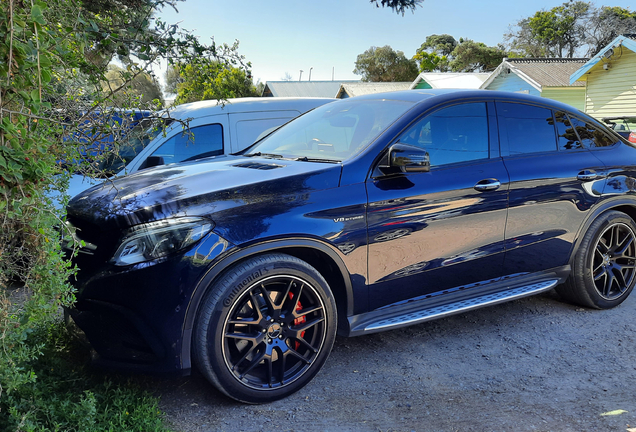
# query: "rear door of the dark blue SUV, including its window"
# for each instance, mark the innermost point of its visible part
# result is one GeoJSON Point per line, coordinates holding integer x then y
{"type": "Point", "coordinates": [554, 181]}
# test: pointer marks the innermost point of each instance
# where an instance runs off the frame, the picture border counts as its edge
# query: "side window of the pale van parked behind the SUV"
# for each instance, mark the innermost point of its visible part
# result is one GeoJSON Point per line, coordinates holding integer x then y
{"type": "Point", "coordinates": [198, 142]}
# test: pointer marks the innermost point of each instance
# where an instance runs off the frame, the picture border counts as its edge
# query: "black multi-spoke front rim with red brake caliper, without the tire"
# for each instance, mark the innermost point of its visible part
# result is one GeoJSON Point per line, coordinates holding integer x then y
{"type": "Point", "coordinates": [274, 332]}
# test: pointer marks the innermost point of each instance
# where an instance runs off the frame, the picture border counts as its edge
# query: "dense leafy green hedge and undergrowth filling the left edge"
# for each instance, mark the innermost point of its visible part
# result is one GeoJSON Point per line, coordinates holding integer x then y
{"type": "Point", "coordinates": [53, 58]}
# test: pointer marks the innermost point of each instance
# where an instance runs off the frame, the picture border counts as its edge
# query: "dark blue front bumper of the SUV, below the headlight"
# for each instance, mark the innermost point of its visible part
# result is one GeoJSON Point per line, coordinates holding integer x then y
{"type": "Point", "coordinates": [133, 317]}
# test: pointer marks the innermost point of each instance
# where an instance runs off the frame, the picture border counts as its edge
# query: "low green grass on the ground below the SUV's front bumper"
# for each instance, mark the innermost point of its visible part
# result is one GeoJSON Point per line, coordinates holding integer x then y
{"type": "Point", "coordinates": [63, 395]}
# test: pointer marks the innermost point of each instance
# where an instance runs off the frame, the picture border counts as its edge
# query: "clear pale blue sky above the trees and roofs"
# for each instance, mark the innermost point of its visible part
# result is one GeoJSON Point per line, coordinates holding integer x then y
{"type": "Point", "coordinates": [280, 37]}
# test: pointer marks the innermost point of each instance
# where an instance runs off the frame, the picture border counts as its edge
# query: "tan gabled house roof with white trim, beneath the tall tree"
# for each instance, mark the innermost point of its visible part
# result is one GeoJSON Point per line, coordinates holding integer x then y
{"type": "Point", "coordinates": [540, 72]}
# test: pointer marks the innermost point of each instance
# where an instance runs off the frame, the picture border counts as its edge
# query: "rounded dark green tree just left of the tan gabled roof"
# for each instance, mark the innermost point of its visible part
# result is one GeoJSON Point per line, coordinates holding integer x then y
{"type": "Point", "coordinates": [471, 56]}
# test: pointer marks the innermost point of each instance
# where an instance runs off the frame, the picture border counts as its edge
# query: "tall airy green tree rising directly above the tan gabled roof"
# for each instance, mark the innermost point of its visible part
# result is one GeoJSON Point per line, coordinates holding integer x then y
{"type": "Point", "coordinates": [559, 32]}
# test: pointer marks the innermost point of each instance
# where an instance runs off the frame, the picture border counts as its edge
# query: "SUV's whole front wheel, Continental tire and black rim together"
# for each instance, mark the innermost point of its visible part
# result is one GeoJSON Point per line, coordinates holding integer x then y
{"type": "Point", "coordinates": [265, 328]}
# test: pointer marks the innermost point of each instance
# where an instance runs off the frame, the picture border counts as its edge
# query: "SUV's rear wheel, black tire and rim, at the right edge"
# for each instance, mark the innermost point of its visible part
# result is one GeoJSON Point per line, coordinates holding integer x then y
{"type": "Point", "coordinates": [604, 266]}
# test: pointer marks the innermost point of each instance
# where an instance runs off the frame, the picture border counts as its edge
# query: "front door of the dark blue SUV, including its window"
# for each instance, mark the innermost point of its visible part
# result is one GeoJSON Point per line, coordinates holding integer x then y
{"type": "Point", "coordinates": [434, 231]}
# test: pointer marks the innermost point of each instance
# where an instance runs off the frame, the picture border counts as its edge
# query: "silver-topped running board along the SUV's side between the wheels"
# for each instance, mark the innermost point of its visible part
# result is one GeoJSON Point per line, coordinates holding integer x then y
{"type": "Point", "coordinates": [397, 319]}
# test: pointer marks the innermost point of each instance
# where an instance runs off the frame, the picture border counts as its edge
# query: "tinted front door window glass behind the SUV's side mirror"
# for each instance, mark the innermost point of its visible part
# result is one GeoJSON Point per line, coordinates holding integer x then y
{"type": "Point", "coordinates": [454, 134]}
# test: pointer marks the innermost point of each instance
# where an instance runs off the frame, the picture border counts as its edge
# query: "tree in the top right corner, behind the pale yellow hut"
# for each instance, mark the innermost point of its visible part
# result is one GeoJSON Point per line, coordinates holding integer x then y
{"type": "Point", "coordinates": [605, 24]}
